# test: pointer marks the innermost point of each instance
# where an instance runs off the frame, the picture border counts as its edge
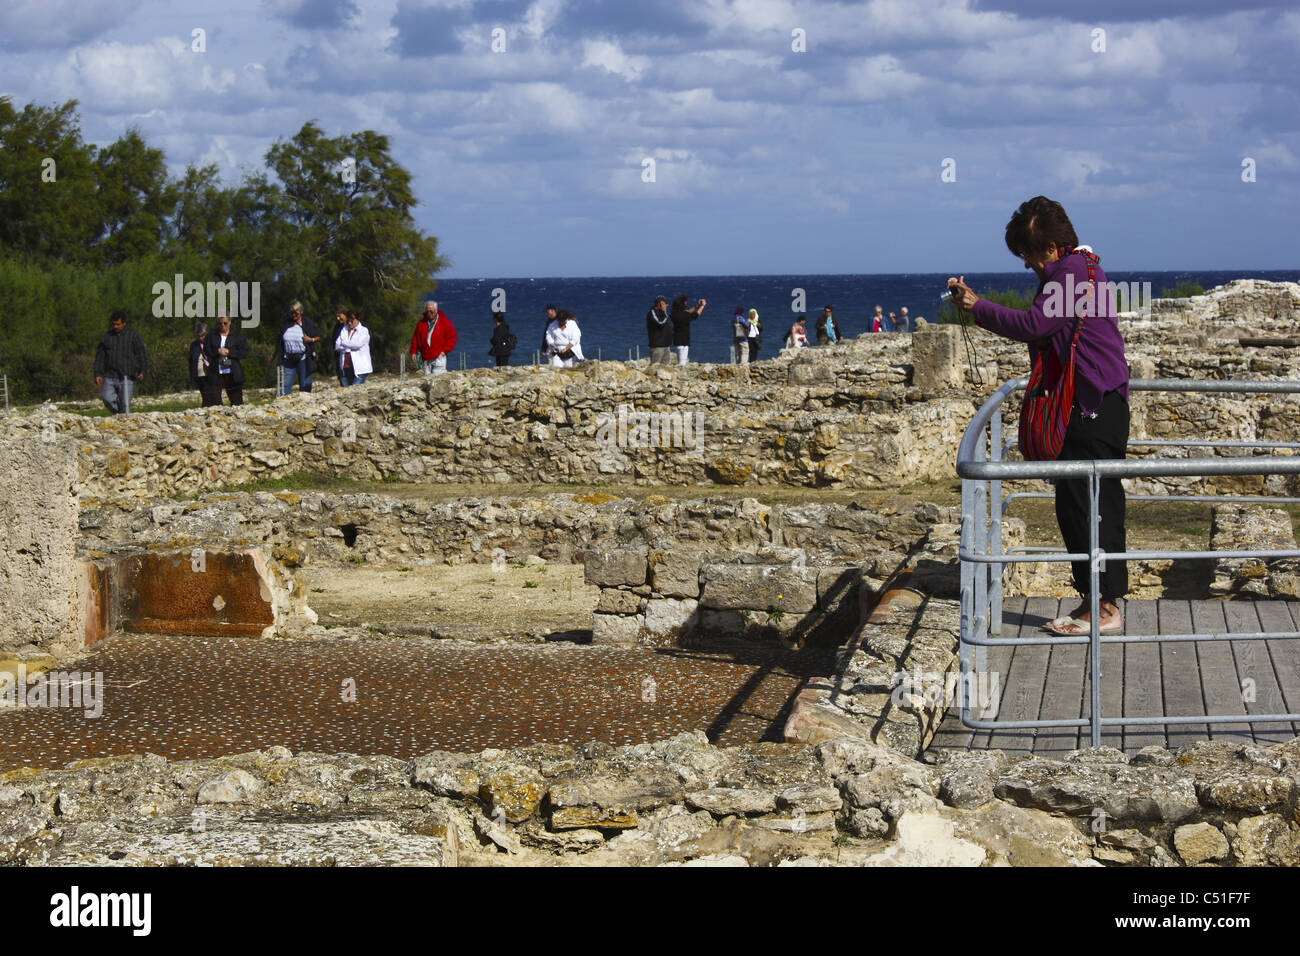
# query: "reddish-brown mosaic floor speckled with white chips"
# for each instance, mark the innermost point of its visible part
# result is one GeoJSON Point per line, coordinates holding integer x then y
{"type": "Point", "coordinates": [187, 698]}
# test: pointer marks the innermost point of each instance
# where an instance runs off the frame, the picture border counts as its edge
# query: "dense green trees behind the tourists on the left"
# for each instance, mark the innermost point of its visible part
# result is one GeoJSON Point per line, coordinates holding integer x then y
{"type": "Point", "coordinates": [111, 224]}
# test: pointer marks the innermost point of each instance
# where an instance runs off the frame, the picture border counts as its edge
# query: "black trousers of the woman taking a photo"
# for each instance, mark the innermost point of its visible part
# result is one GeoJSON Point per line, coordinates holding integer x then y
{"type": "Point", "coordinates": [1104, 436]}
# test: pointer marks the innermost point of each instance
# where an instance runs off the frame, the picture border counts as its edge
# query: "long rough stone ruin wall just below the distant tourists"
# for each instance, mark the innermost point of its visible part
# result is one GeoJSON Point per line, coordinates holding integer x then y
{"type": "Point", "coordinates": [878, 413]}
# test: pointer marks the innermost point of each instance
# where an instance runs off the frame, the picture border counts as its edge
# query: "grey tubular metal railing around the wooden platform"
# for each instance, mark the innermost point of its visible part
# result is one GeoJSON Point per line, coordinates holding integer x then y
{"type": "Point", "coordinates": [983, 470]}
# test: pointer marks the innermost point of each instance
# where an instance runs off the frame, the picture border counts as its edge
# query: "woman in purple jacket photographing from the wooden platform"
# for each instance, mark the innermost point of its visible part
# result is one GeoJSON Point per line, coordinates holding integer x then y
{"type": "Point", "coordinates": [1042, 236]}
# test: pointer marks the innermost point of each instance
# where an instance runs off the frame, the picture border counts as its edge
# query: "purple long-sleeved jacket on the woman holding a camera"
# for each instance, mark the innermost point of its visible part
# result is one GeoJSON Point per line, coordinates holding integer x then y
{"type": "Point", "coordinates": [1100, 366]}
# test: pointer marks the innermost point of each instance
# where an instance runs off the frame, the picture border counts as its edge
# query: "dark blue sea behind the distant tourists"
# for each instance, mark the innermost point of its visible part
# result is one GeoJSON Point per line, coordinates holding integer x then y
{"type": "Point", "coordinates": [612, 310]}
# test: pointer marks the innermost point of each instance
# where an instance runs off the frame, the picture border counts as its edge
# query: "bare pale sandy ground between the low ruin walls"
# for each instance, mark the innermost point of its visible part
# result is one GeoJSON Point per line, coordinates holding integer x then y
{"type": "Point", "coordinates": [463, 602]}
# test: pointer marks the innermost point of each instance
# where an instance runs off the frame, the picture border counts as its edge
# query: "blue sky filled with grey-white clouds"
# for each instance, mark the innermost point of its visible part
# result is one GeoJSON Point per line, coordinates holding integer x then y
{"type": "Point", "coordinates": [787, 137]}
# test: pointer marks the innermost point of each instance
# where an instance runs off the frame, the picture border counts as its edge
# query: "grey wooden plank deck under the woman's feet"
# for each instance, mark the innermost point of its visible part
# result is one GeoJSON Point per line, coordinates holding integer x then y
{"type": "Point", "coordinates": [1043, 682]}
